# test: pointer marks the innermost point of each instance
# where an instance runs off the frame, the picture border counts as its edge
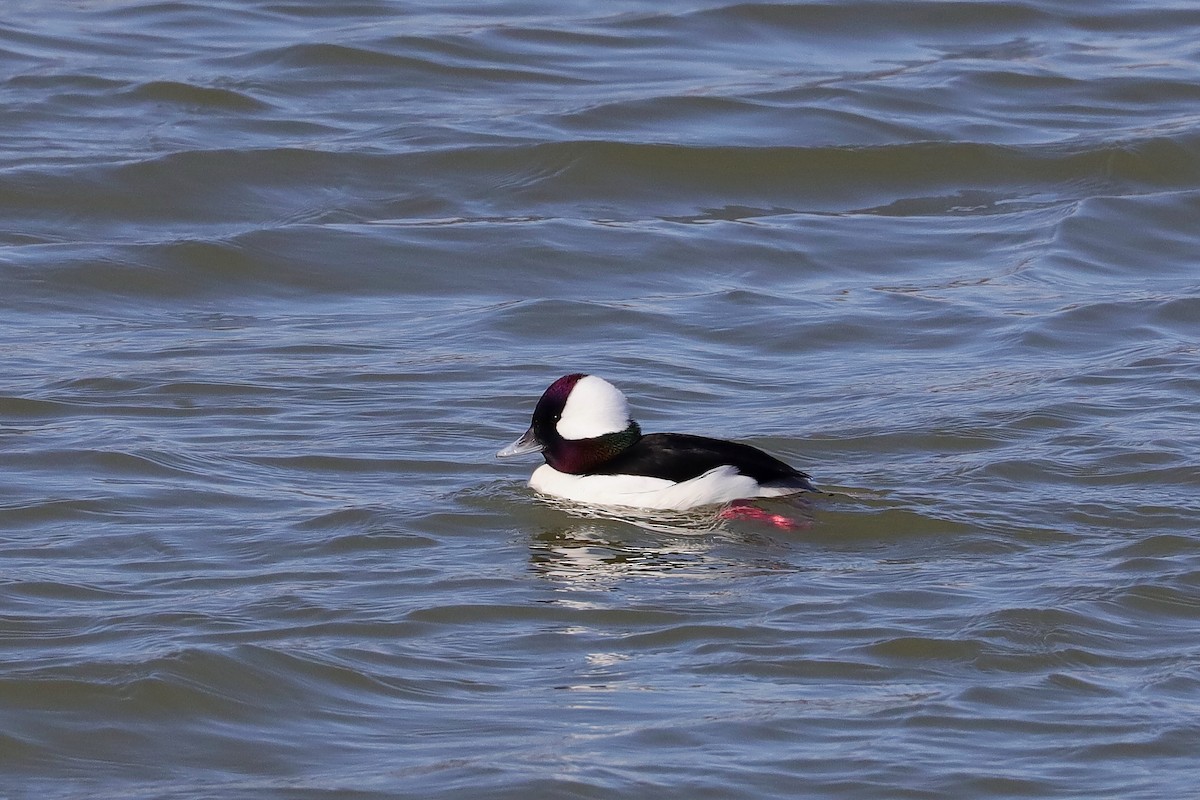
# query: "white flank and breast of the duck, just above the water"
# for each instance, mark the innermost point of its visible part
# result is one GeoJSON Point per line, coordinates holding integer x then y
{"type": "Point", "coordinates": [718, 485]}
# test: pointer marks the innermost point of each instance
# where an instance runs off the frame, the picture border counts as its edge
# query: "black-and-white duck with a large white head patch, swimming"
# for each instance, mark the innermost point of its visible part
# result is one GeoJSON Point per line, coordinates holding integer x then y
{"type": "Point", "coordinates": [596, 454]}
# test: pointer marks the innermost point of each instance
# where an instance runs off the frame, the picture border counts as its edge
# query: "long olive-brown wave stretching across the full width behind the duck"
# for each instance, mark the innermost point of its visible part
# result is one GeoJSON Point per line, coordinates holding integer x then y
{"type": "Point", "coordinates": [553, 179]}
